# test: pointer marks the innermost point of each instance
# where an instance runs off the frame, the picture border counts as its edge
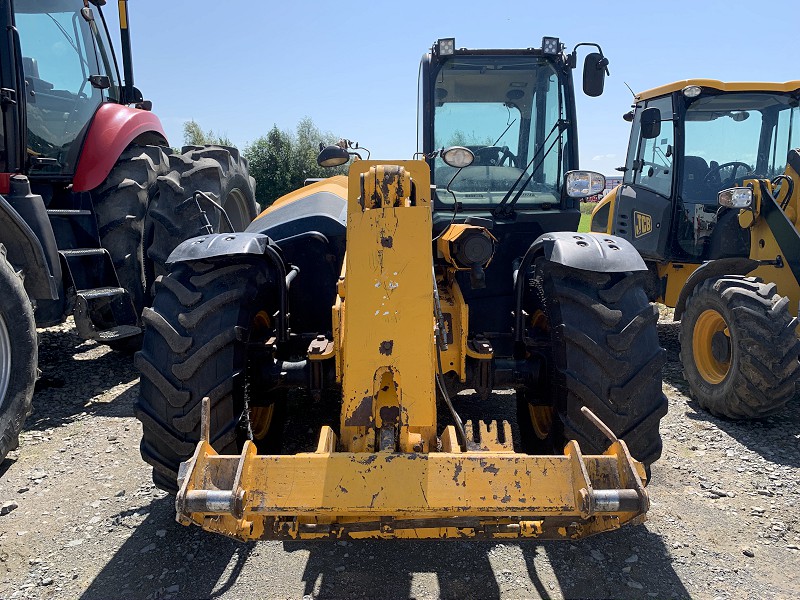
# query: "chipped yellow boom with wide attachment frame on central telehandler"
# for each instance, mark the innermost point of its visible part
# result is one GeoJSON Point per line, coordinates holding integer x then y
{"type": "Point", "coordinates": [388, 474]}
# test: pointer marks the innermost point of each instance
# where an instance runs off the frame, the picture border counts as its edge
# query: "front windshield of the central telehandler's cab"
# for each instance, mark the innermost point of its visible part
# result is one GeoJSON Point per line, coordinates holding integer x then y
{"type": "Point", "coordinates": [503, 109]}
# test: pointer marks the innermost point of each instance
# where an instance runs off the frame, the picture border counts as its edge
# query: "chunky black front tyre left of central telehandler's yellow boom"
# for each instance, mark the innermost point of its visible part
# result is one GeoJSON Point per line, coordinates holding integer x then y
{"type": "Point", "coordinates": [197, 343]}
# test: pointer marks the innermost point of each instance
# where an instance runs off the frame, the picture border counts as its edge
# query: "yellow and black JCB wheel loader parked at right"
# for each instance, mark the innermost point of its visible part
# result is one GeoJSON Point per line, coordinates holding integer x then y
{"type": "Point", "coordinates": [705, 163]}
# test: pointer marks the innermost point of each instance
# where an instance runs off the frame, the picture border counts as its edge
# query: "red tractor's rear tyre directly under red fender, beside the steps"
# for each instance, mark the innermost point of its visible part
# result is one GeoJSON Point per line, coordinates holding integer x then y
{"type": "Point", "coordinates": [120, 205]}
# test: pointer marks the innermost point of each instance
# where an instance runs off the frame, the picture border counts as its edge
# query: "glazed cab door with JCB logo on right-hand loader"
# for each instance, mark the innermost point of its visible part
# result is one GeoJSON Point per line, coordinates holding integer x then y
{"type": "Point", "coordinates": [644, 201]}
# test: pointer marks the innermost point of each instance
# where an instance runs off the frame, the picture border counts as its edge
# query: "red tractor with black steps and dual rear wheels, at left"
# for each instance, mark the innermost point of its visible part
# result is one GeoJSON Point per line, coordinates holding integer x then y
{"type": "Point", "coordinates": [92, 200]}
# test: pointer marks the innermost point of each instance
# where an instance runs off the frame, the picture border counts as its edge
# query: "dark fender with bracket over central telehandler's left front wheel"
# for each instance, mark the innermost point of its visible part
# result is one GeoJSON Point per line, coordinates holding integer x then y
{"type": "Point", "coordinates": [231, 245]}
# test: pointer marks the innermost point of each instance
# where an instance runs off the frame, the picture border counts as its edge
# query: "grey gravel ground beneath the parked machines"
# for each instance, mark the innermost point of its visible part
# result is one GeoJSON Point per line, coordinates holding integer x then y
{"type": "Point", "coordinates": [82, 520]}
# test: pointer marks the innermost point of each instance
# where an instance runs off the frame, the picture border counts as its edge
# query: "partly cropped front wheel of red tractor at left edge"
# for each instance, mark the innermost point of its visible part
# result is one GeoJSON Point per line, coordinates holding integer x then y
{"type": "Point", "coordinates": [18, 355]}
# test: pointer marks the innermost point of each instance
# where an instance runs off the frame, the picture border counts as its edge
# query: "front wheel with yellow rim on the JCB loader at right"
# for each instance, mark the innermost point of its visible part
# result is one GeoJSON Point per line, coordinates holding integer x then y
{"type": "Point", "coordinates": [739, 348]}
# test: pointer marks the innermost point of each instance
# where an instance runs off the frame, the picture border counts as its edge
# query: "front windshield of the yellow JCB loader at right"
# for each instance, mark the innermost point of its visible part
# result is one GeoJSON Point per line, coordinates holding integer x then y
{"type": "Point", "coordinates": [734, 136]}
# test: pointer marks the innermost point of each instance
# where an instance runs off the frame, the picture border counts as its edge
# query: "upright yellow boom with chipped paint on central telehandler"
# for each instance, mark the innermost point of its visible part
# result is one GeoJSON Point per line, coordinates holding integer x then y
{"type": "Point", "coordinates": [388, 297]}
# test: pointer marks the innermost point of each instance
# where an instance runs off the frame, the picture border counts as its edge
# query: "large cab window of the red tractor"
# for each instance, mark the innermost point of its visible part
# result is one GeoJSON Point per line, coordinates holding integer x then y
{"type": "Point", "coordinates": [60, 51]}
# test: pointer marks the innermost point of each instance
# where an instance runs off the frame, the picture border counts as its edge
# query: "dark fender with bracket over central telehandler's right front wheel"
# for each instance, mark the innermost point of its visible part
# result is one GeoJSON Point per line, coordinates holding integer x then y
{"type": "Point", "coordinates": [596, 252]}
